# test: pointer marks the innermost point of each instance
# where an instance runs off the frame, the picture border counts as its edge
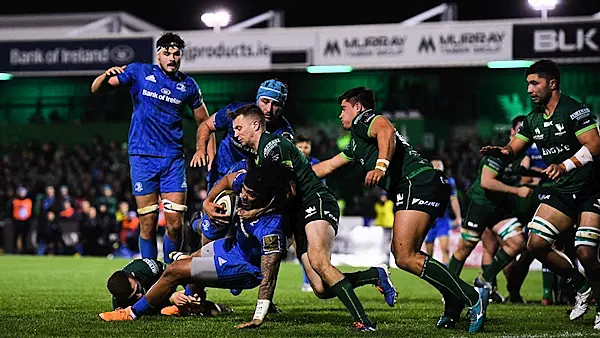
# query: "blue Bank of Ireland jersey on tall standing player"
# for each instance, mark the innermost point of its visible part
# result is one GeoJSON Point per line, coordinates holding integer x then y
{"type": "Point", "coordinates": [158, 105]}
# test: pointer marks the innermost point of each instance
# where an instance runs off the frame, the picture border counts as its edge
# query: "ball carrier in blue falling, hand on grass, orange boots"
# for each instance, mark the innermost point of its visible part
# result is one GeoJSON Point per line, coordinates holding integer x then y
{"type": "Point", "coordinates": [248, 260]}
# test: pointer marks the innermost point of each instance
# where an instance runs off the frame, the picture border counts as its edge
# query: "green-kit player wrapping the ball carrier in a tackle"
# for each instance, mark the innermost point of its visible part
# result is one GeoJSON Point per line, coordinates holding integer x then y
{"type": "Point", "coordinates": [316, 218]}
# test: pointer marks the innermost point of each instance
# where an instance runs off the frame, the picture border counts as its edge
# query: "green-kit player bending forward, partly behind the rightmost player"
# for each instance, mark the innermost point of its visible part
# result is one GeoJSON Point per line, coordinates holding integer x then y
{"type": "Point", "coordinates": [493, 206]}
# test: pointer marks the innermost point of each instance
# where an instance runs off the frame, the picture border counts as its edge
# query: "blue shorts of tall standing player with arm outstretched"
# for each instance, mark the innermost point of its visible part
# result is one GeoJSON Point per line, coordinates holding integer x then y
{"type": "Point", "coordinates": [151, 174]}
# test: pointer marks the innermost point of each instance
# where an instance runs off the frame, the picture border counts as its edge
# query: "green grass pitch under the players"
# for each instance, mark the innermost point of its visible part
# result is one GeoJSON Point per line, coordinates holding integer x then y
{"type": "Point", "coordinates": [62, 296]}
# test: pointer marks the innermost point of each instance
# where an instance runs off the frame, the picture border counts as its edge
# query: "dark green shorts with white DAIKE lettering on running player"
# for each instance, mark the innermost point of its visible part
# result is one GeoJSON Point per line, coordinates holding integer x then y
{"type": "Point", "coordinates": [428, 191]}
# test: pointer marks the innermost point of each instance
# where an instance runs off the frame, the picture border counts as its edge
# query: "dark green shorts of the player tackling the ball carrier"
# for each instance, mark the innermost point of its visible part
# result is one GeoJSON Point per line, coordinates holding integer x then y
{"type": "Point", "coordinates": [321, 207]}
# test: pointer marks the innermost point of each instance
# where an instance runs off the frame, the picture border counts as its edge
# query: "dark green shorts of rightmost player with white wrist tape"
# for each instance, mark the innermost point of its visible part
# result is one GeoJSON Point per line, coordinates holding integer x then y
{"type": "Point", "coordinates": [573, 205]}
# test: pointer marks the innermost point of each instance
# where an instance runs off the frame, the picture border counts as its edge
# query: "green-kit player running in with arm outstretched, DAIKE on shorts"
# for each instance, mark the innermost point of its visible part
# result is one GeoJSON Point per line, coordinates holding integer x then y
{"type": "Point", "coordinates": [420, 194]}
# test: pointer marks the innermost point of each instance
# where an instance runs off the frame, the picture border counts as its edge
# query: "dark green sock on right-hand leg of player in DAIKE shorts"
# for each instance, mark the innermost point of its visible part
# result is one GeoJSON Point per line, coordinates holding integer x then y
{"type": "Point", "coordinates": [438, 275]}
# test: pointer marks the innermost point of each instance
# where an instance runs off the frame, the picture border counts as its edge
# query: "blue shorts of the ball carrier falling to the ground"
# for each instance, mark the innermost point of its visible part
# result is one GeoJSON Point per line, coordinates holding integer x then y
{"type": "Point", "coordinates": [232, 270]}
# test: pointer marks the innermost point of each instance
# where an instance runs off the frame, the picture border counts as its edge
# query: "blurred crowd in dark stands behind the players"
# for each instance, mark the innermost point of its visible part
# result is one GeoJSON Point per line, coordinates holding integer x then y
{"type": "Point", "coordinates": [77, 200]}
